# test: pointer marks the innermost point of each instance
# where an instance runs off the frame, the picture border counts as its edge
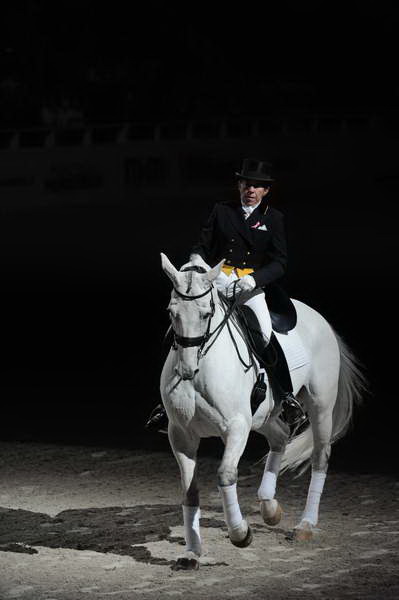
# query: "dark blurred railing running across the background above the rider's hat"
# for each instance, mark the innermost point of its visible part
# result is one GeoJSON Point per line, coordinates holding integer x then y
{"type": "Point", "coordinates": [190, 130]}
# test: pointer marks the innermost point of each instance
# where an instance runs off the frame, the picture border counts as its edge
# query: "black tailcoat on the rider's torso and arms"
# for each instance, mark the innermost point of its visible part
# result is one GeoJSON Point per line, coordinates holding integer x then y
{"type": "Point", "coordinates": [257, 243]}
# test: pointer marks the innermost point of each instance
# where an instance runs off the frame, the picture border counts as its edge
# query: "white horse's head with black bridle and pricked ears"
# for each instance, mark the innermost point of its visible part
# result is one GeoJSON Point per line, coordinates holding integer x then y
{"type": "Point", "coordinates": [191, 308]}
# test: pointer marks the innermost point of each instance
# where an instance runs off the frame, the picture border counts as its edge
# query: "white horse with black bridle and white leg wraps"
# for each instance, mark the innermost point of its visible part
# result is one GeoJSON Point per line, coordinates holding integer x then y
{"type": "Point", "coordinates": [206, 392]}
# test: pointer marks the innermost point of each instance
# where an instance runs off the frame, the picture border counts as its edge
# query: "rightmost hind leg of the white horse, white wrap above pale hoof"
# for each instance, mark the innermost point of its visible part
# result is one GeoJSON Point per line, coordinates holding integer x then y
{"type": "Point", "coordinates": [320, 407]}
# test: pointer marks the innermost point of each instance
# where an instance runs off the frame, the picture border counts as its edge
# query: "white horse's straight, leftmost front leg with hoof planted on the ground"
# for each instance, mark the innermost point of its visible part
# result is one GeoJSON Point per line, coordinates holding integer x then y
{"type": "Point", "coordinates": [185, 446]}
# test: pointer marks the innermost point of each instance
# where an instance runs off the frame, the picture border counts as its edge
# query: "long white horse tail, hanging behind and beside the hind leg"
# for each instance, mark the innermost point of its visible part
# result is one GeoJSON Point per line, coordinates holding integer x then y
{"type": "Point", "coordinates": [352, 385]}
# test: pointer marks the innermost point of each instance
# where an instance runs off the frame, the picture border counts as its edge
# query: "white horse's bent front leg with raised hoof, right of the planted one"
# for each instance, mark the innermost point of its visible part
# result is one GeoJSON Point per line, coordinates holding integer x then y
{"type": "Point", "coordinates": [235, 439]}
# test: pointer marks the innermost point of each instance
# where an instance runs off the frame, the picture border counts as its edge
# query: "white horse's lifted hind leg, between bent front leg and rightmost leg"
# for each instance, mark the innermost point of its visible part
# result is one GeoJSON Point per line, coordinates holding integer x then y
{"type": "Point", "coordinates": [276, 433]}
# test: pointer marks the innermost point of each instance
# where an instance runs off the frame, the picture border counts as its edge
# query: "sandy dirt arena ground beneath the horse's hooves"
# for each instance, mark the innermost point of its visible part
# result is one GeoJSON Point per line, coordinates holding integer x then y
{"type": "Point", "coordinates": [90, 523]}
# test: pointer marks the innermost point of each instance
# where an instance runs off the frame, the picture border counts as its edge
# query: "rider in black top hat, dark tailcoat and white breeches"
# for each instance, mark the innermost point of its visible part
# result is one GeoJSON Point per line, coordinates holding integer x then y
{"type": "Point", "coordinates": [250, 235]}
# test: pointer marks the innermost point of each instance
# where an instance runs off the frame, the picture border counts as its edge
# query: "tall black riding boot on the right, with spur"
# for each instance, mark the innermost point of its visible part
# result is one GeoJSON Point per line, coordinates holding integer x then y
{"type": "Point", "coordinates": [280, 380]}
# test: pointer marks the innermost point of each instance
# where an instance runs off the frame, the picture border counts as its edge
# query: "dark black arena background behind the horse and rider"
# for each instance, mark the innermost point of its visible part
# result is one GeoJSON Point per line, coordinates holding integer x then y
{"type": "Point", "coordinates": [83, 302]}
